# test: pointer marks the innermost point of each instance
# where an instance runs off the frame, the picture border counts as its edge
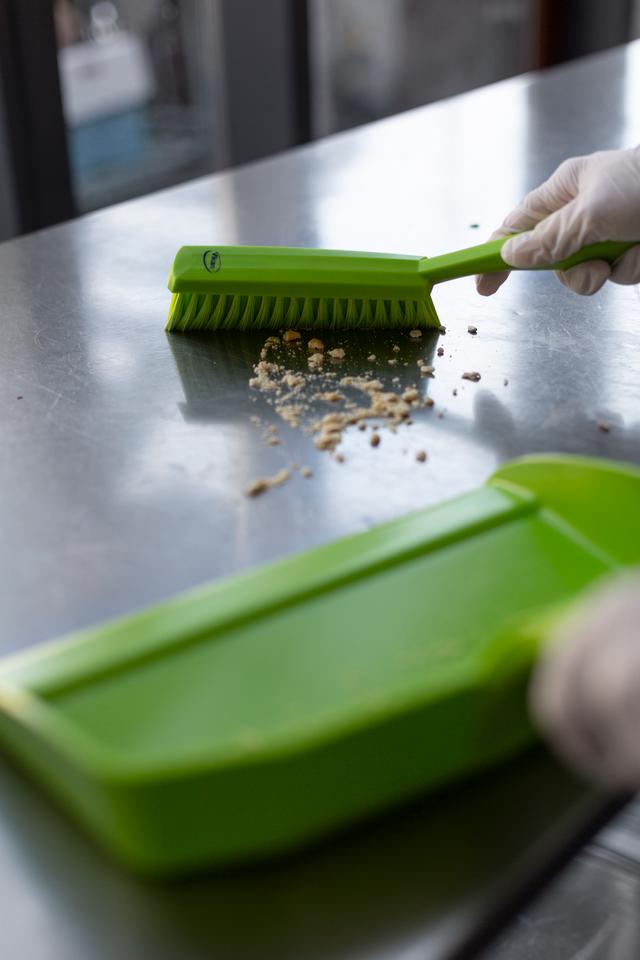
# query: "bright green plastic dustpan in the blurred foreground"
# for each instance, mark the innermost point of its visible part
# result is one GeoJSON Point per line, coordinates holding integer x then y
{"type": "Point", "coordinates": [254, 715]}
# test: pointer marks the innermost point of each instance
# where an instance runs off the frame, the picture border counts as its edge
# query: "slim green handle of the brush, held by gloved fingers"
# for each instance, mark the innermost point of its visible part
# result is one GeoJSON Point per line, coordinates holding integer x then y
{"type": "Point", "coordinates": [485, 258]}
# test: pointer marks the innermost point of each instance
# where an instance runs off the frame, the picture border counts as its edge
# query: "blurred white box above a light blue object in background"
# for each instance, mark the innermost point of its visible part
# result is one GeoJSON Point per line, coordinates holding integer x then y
{"type": "Point", "coordinates": [99, 79]}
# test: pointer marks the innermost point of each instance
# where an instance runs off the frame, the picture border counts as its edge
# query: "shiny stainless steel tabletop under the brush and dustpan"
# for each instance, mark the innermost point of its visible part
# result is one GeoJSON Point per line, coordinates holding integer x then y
{"type": "Point", "coordinates": [125, 452]}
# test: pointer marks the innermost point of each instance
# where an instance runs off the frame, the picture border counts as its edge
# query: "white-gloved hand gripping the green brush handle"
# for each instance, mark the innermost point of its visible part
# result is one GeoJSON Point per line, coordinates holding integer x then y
{"type": "Point", "coordinates": [586, 200]}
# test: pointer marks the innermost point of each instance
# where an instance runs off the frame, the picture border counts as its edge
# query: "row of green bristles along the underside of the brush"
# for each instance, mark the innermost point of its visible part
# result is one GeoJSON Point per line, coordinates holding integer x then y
{"type": "Point", "coordinates": [199, 312]}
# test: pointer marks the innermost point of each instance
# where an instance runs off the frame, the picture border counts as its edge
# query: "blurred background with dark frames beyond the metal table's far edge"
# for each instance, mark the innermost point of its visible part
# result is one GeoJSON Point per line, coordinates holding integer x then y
{"type": "Point", "coordinates": [104, 101]}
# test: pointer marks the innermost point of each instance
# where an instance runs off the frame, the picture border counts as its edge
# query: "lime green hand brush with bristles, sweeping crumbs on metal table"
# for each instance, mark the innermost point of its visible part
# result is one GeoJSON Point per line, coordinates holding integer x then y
{"type": "Point", "coordinates": [268, 288]}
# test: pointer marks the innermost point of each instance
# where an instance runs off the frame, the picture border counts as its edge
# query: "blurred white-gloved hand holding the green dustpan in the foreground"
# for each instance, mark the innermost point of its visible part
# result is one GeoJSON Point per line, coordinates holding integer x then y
{"type": "Point", "coordinates": [585, 692]}
